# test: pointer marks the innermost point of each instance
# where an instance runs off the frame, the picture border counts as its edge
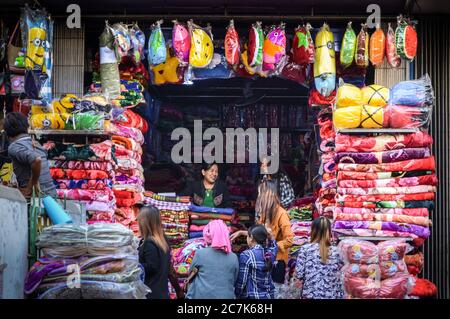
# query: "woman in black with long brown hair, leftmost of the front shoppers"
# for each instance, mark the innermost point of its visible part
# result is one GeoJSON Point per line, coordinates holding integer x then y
{"type": "Point", "coordinates": [154, 255]}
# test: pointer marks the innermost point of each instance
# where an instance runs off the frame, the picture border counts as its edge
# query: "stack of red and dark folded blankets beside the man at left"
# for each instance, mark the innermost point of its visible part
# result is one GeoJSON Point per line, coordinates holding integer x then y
{"type": "Point", "coordinates": [85, 173]}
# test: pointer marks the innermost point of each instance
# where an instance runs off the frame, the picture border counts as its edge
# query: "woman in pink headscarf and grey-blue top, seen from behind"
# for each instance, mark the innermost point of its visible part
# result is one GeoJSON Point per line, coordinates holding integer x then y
{"type": "Point", "coordinates": [215, 267]}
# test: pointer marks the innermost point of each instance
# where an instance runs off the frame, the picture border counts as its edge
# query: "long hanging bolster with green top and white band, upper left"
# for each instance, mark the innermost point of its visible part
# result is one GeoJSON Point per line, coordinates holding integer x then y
{"type": "Point", "coordinates": [109, 68]}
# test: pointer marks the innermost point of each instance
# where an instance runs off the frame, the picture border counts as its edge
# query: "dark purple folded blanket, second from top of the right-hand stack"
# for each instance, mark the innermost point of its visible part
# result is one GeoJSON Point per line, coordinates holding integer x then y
{"type": "Point", "coordinates": [382, 157]}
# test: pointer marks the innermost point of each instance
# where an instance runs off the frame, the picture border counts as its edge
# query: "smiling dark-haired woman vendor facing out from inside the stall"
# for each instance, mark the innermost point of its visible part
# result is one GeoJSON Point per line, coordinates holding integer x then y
{"type": "Point", "coordinates": [210, 191]}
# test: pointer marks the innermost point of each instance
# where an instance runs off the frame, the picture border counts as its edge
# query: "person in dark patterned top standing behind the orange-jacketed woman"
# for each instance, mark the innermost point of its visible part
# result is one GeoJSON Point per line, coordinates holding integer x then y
{"type": "Point", "coordinates": [283, 184]}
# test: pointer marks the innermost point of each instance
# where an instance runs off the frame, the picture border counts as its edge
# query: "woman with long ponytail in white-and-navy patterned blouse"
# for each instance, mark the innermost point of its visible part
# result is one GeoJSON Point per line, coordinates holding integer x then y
{"type": "Point", "coordinates": [318, 264]}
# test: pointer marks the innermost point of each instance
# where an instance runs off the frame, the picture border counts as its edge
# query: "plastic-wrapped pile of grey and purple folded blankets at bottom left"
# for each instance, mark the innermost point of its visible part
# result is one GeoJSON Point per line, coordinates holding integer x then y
{"type": "Point", "coordinates": [104, 255]}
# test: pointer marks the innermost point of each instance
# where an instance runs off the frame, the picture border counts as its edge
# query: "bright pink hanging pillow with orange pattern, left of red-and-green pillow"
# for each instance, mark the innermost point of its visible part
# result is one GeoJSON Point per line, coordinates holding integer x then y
{"type": "Point", "coordinates": [274, 48]}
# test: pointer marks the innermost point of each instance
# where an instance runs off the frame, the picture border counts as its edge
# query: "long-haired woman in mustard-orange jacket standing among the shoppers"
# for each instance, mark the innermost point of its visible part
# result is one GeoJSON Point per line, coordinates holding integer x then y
{"type": "Point", "coordinates": [276, 220]}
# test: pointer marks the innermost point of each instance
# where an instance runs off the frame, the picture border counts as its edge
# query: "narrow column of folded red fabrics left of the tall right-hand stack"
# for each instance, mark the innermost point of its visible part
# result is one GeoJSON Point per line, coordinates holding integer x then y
{"type": "Point", "coordinates": [325, 197]}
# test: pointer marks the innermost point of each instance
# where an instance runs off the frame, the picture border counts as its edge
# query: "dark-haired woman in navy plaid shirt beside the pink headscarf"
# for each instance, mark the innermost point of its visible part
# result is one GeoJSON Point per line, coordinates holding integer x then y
{"type": "Point", "coordinates": [255, 266]}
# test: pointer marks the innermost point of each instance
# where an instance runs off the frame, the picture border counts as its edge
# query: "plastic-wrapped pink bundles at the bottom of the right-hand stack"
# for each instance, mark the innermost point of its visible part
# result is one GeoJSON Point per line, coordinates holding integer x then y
{"type": "Point", "coordinates": [375, 271]}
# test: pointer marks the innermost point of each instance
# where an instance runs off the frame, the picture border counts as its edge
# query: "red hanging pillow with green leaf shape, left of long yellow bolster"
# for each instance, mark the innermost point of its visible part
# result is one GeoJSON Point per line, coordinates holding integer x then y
{"type": "Point", "coordinates": [303, 46]}
